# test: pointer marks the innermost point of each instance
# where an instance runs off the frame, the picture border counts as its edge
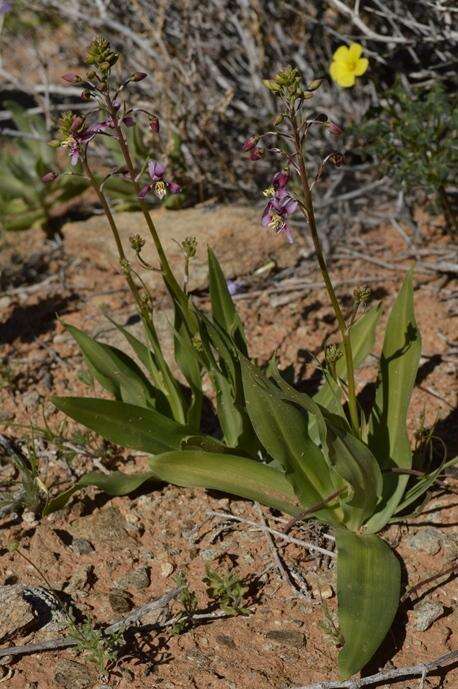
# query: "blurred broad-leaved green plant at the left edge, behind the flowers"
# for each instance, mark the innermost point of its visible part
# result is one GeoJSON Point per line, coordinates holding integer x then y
{"type": "Point", "coordinates": [26, 200]}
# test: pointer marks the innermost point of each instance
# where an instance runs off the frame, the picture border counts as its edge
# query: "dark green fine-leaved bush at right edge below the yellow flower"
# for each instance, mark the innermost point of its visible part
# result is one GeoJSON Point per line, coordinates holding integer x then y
{"type": "Point", "coordinates": [414, 137]}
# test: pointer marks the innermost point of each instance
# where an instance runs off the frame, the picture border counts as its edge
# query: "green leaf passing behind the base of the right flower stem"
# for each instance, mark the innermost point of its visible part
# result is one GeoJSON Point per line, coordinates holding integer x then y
{"type": "Point", "coordinates": [362, 337]}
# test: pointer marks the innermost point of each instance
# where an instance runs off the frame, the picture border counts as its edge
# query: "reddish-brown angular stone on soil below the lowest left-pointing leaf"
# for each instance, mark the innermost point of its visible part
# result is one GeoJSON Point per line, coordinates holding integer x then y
{"type": "Point", "coordinates": [105, 526]}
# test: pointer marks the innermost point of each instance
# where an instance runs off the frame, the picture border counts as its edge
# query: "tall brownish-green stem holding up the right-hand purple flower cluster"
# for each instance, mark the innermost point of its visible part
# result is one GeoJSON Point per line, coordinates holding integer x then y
{"type": "Point", "coordinates": [308, 210]}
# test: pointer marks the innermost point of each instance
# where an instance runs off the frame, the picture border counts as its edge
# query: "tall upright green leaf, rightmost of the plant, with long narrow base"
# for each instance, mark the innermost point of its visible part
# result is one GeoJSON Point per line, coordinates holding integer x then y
{"type": "Point", "coordinates": [398, 368]}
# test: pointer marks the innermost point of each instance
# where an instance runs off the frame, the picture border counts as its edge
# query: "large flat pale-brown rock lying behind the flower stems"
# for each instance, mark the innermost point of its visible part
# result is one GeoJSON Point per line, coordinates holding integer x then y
{"type": "Point", "coordinates": [234, 233]}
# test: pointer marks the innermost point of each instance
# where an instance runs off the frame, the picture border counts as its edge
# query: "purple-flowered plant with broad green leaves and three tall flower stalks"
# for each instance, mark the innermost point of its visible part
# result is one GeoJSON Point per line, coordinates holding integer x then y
{"type": "Point", "coordinates": [322, 456]}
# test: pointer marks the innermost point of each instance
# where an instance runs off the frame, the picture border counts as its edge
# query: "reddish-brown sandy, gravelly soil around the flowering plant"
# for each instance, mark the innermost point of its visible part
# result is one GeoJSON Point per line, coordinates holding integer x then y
{"type": "Point", "coordinates": [167, 530]}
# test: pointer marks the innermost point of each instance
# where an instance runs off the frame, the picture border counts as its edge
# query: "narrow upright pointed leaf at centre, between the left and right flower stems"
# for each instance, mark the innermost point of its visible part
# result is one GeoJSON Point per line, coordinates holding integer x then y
{"type": "Point", "coordinates": [223, 308]}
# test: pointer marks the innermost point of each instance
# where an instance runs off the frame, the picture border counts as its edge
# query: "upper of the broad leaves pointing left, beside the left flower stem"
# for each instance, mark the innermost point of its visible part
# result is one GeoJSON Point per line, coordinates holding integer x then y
{"type": "Point", "coordinates": [114, 370]}
